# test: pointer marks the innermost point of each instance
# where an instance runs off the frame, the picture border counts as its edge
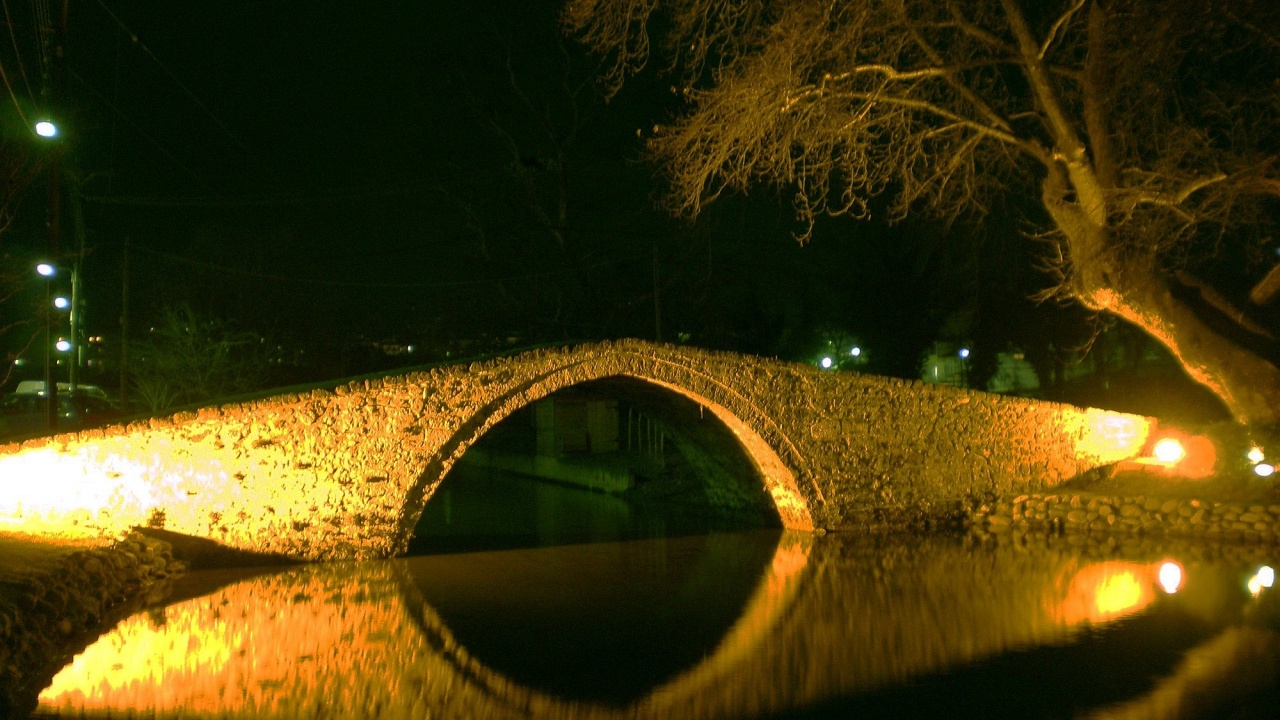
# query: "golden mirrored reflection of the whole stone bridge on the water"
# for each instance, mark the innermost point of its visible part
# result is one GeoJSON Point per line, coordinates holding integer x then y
{"type": "Point", "coordinates": [341, 641]}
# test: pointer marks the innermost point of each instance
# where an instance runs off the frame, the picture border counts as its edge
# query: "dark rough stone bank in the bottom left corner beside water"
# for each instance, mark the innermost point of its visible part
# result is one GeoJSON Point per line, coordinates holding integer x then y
{"type": "Point", "coordinates": [52, 612]}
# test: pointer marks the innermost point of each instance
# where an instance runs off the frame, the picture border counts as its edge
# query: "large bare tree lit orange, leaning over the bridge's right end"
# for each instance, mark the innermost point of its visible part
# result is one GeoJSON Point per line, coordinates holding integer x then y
{"type": "Point", "coordinates": [1144, 136]}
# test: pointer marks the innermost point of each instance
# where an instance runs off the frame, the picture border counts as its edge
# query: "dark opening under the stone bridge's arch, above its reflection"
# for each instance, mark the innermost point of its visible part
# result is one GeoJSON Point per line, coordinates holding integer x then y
{"type": "Point", "coordinates": [618, 458]}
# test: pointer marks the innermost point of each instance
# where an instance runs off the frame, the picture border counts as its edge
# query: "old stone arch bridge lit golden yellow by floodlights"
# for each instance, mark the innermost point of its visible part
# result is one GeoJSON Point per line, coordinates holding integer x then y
{"type": "Point", "coordinates": [345, 472]}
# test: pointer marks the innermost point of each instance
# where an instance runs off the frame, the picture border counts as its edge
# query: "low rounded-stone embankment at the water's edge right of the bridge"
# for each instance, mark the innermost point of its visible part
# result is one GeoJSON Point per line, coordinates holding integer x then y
{"type": "Point", "coordinates": [1089, 514]}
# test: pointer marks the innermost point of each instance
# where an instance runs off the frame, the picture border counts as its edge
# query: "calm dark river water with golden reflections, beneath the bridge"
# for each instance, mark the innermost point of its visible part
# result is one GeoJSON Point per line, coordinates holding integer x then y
{"type": "Point", "coordinates": [620, 614]}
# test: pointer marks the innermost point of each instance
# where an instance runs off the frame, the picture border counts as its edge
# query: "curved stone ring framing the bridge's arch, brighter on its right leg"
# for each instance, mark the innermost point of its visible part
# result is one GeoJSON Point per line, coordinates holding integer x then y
{"type": "Point", "coordinates": [774, 462]}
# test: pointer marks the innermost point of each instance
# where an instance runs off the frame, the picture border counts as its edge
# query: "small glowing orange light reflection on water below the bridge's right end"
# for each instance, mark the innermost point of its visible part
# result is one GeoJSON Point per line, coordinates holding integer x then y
{"type": "Point", "coordinates": [1107, 591]}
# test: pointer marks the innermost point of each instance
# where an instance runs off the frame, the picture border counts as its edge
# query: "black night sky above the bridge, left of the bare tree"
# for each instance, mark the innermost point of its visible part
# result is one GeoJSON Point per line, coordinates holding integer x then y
{"type": "Point", "coordinates": [449, 176]}
